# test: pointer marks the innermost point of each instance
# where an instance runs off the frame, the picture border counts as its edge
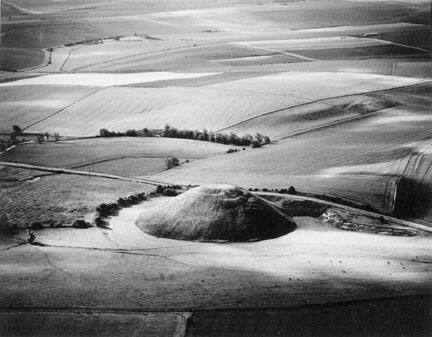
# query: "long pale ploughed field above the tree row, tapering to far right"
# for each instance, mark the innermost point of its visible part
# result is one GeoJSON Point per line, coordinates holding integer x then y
{"type": "Point", "coordinates": [213, 107]}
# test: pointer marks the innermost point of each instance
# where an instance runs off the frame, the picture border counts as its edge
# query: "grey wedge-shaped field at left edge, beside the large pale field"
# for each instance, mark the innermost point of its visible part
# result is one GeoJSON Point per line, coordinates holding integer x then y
{"type": "Point", "coordinates": [26, 105]}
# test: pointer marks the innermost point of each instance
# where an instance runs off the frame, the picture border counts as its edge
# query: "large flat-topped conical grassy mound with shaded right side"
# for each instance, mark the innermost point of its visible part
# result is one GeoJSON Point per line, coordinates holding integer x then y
{"type": "Point", "coordinates": [215, 212]}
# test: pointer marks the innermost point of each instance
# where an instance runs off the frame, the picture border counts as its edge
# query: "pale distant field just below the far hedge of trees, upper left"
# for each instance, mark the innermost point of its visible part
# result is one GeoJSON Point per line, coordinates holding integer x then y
{"type": "Point", "coordinates": [170, 54]}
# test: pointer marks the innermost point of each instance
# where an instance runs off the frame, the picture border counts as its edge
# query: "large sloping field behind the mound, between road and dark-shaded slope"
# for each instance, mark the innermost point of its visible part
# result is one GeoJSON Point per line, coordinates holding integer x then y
{"type": "Point", "coordinates": [360, 162]}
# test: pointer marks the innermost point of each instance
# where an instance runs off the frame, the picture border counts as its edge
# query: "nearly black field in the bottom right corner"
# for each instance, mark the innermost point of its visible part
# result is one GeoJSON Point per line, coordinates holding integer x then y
{"type": "Point", "coordinates": [387, 317]}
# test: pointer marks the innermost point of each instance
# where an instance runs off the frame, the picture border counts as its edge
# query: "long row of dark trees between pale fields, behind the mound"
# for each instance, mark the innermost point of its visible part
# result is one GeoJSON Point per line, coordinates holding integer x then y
{"type": "Point", "coordinates": [256, 140]}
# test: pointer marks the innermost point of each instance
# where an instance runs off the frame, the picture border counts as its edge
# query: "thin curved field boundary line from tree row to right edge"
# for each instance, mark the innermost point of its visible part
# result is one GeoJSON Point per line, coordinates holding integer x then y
{"type": "Point", "coordinates": [262, 114]}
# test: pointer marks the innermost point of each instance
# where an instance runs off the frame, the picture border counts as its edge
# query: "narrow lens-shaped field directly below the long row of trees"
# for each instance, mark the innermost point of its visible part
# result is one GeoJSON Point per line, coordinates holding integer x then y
{"type": "Point", "coordinates": [91, 151]}
